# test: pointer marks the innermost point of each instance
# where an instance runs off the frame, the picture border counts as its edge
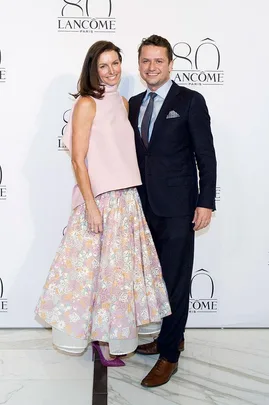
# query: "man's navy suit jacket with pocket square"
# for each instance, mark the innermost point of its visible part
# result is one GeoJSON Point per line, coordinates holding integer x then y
{"type": "Point", "coordinates": [177, 148]}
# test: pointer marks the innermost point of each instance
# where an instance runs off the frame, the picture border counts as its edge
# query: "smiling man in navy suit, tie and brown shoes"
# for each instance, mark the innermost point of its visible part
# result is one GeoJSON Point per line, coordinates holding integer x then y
{"type": "Point", "coordinates": [173, 140]}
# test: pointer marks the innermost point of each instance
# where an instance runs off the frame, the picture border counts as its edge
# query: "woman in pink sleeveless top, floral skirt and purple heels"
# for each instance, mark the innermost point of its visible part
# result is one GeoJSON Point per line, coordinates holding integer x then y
{"type": "Point", "coordinates": [106, 279]}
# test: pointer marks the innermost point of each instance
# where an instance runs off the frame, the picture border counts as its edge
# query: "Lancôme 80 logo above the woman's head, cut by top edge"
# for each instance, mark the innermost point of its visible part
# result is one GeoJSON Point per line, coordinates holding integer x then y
{"type": "Point", "coordinates": [87, 16]}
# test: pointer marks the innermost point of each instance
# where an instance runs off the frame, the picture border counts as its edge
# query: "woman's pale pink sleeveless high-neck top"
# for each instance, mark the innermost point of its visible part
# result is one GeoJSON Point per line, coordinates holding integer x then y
{"type": "Point", "coordinates": [111, 158]}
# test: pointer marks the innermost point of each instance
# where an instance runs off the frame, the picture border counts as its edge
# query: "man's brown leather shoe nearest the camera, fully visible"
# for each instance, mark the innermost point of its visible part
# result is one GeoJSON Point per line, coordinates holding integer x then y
{"type": "Point", "coordinates": [160, 374]}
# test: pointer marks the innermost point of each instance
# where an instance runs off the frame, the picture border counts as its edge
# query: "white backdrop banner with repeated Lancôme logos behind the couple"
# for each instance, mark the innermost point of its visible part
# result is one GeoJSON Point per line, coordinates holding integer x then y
{"type": "Point", "coordinates": [221, 52]}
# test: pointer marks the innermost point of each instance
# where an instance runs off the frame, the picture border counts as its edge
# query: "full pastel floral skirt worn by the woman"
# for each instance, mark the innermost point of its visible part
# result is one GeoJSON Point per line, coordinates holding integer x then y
{"type": "Point", "coordinates": [104, 286]}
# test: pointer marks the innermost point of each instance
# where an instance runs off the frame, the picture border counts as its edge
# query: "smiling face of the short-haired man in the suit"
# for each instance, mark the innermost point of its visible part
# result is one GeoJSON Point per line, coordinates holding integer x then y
{"type": "Point", "coordinates": [154, 66]}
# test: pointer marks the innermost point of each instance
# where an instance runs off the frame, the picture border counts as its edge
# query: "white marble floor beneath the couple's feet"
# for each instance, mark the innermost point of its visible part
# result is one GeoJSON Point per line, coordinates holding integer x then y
{"type": "Point", "coordinates": [218, 367]}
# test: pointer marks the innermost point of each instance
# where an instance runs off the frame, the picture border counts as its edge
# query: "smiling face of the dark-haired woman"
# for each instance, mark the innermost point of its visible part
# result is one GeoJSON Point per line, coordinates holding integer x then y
{"type": "Point", "coordinates": [109, 68]}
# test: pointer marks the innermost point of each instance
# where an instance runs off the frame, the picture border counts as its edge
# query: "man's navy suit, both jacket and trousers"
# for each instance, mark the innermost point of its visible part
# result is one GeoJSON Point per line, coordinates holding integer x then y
{"type": "Point", "coordinates": [179, 148]}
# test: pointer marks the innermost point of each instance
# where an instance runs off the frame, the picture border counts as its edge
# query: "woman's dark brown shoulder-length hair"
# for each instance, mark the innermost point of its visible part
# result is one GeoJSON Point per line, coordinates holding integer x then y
{"type": "Point", "coordinates": [89, 82]}
